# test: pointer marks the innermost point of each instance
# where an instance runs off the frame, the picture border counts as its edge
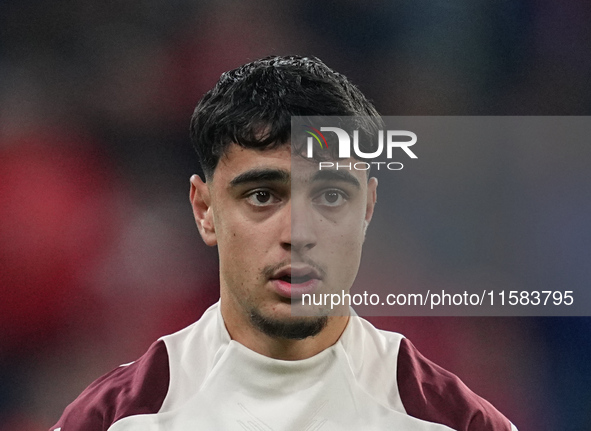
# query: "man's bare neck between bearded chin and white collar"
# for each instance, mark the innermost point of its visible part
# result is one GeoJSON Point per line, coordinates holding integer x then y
{"type": "Point", "coordinates": [242, 330]}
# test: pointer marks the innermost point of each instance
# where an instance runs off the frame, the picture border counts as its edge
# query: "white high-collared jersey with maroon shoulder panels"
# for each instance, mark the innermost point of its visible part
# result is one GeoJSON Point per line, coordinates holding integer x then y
{"type": "Point", "coordinates": [201, 379]}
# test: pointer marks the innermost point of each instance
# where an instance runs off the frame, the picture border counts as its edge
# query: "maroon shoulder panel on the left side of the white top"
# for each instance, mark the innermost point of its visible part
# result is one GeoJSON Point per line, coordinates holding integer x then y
{"type": "Point", "coordinates": [136, 388]}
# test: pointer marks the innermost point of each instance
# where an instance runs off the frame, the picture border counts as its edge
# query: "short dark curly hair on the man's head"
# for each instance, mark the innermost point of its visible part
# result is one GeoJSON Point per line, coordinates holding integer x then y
{"type": "Point", "coordinates": [252, 105]}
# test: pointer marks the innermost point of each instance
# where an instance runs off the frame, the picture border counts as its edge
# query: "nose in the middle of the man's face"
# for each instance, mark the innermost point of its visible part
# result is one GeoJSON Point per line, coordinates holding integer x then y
{"type": "Point", "coordinates": [299, 228]}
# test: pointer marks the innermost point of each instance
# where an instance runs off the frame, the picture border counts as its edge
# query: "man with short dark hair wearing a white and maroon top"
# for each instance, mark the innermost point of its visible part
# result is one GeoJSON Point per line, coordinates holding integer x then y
{"type": "Point", "coordinates": [280, 226]}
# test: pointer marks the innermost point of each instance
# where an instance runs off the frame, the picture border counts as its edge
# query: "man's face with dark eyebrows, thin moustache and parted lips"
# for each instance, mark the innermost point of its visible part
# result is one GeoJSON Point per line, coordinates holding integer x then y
{"type": "Point", "coordinates": [283, 228]}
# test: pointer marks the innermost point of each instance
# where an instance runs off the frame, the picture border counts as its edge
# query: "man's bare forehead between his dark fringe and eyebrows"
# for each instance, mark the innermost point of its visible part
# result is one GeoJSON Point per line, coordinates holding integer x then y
{"type": "Point", "coordinates": [237, 161]}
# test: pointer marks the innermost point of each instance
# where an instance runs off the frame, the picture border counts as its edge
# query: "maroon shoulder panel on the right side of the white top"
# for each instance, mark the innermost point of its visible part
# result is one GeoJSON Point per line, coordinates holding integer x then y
{"type": "Point", "coordinates": [431, 393]}
